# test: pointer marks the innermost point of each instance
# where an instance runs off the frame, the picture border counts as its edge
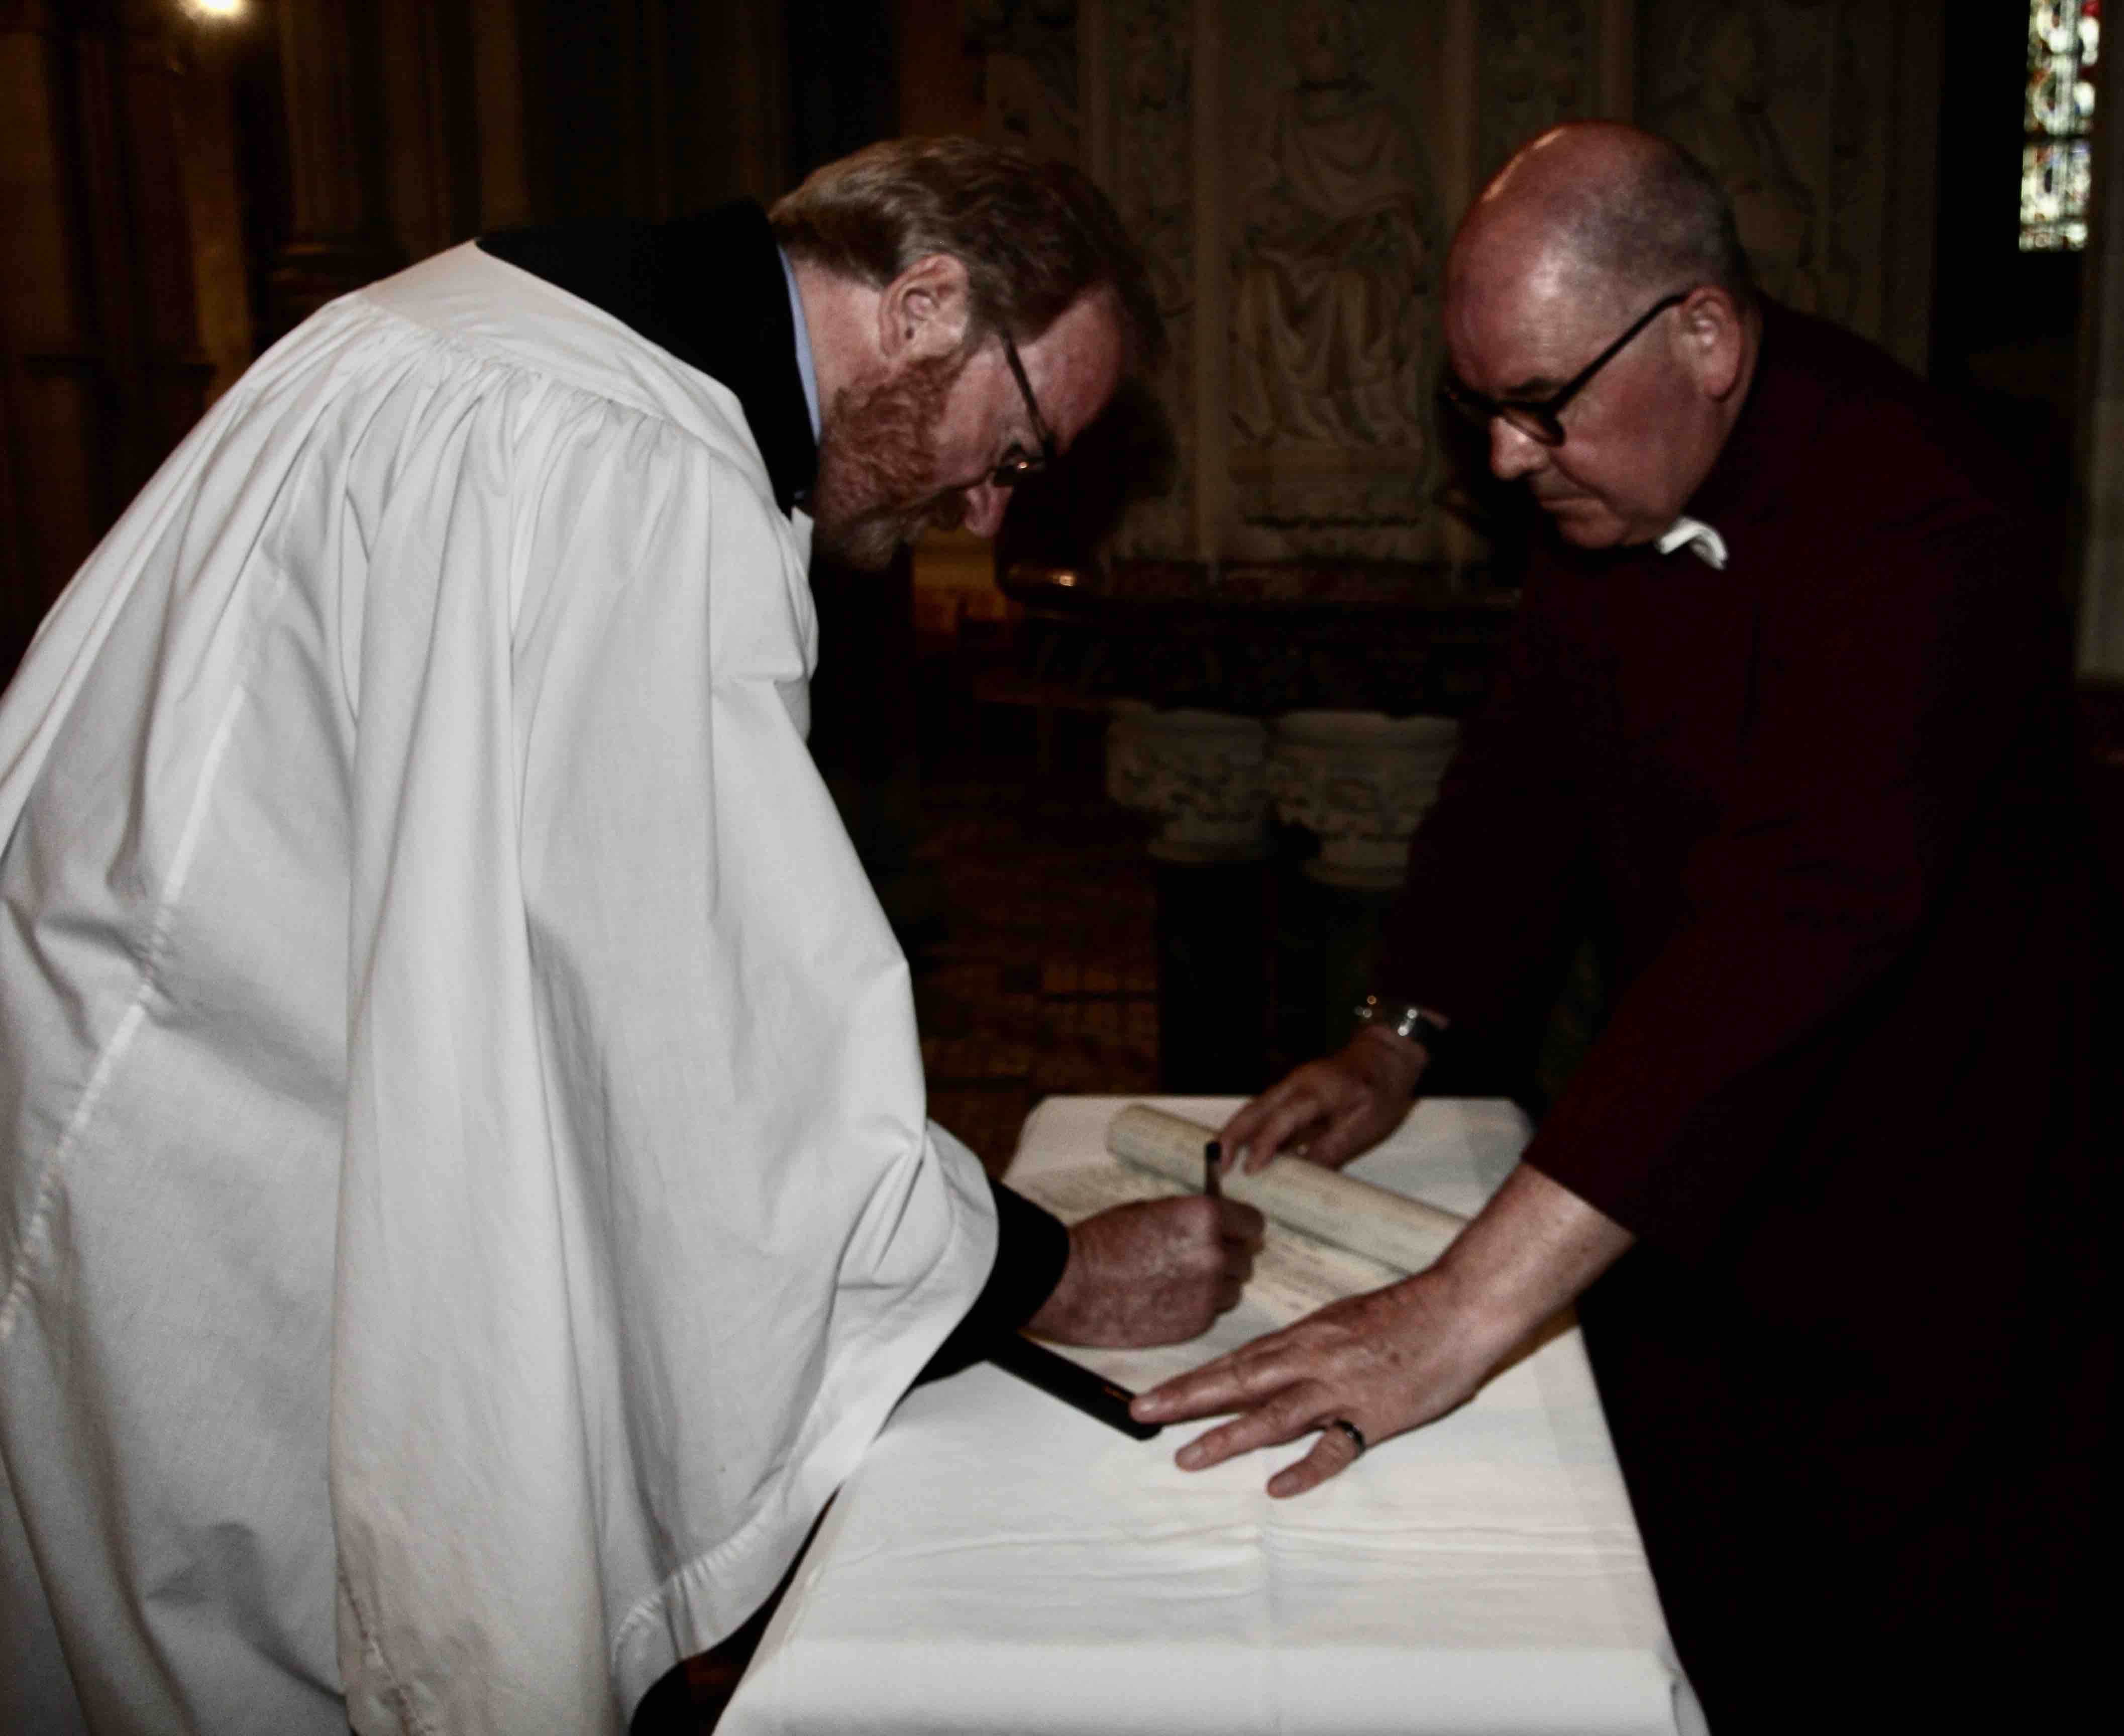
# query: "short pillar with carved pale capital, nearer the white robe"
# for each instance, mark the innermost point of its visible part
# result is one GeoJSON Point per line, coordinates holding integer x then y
{"type": "Point", "coordinates": [1201, 779]}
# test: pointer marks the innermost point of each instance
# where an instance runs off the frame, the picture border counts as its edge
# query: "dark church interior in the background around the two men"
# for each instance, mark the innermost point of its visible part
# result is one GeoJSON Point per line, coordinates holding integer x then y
{"type": "Point", "coordinates": [1135, 783]}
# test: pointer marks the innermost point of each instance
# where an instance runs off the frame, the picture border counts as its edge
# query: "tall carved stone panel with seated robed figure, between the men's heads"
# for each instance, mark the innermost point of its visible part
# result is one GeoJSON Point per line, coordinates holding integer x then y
{"type": "Point", "coordinates": [1333, 233]}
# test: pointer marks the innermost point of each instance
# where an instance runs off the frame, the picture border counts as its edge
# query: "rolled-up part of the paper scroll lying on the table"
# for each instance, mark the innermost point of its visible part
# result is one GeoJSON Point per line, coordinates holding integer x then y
{"type": "Point", "coordinates": [1318, 1202]}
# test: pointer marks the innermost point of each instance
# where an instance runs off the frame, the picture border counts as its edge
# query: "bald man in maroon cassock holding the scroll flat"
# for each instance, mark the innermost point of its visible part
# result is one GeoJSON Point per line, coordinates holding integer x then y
{"type": "Point", "coordinates": [1789, 711]}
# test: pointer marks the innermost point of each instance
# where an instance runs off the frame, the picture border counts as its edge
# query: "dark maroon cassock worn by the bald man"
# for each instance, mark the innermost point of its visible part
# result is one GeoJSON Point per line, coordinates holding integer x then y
{"type": "Point", "coordinates": [1826, 813]}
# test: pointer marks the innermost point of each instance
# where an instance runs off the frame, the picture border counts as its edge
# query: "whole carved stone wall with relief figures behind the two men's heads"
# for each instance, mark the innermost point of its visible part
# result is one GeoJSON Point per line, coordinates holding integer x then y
{"type": "Point", "coordinates": [1297, 167]}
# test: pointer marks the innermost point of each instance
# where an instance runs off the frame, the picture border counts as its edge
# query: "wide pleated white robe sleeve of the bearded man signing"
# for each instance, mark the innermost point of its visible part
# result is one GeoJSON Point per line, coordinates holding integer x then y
{"type": "Point", "coordinates": [643, 1229]}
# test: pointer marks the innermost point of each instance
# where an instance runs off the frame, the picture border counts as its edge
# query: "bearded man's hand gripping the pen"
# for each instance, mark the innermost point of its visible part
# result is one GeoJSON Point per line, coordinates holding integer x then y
{"type": "Point", "coordinates": [1152, 1274]}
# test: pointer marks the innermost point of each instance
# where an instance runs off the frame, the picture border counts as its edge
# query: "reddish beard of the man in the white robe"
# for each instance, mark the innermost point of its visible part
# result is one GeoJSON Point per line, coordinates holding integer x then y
{"type": "Point", "coordinates": [878, 464]}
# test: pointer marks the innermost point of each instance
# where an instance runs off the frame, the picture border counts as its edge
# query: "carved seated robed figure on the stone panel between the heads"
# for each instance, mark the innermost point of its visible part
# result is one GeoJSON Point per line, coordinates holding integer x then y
{"type": "Point", "coordinates": [1331, 311]}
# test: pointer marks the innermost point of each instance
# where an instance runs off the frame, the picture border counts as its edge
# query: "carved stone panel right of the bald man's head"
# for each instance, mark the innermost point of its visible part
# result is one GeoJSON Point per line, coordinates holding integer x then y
{"type": "Point", "coordinates": [1792, 105]}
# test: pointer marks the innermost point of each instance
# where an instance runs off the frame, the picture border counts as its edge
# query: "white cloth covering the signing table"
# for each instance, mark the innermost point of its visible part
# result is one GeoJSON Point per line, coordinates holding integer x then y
{"type": "Point", "coordinates": [1001, 1563]}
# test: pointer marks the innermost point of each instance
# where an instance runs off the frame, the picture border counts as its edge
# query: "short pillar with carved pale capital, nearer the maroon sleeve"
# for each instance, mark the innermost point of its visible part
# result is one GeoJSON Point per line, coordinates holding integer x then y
{"type": "Point", "coordinates": [1358, 783]}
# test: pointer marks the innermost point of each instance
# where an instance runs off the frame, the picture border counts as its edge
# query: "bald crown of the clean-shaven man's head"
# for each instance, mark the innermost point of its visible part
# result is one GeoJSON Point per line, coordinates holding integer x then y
{"type": "Point", "coordinates": [1620, 214]}
